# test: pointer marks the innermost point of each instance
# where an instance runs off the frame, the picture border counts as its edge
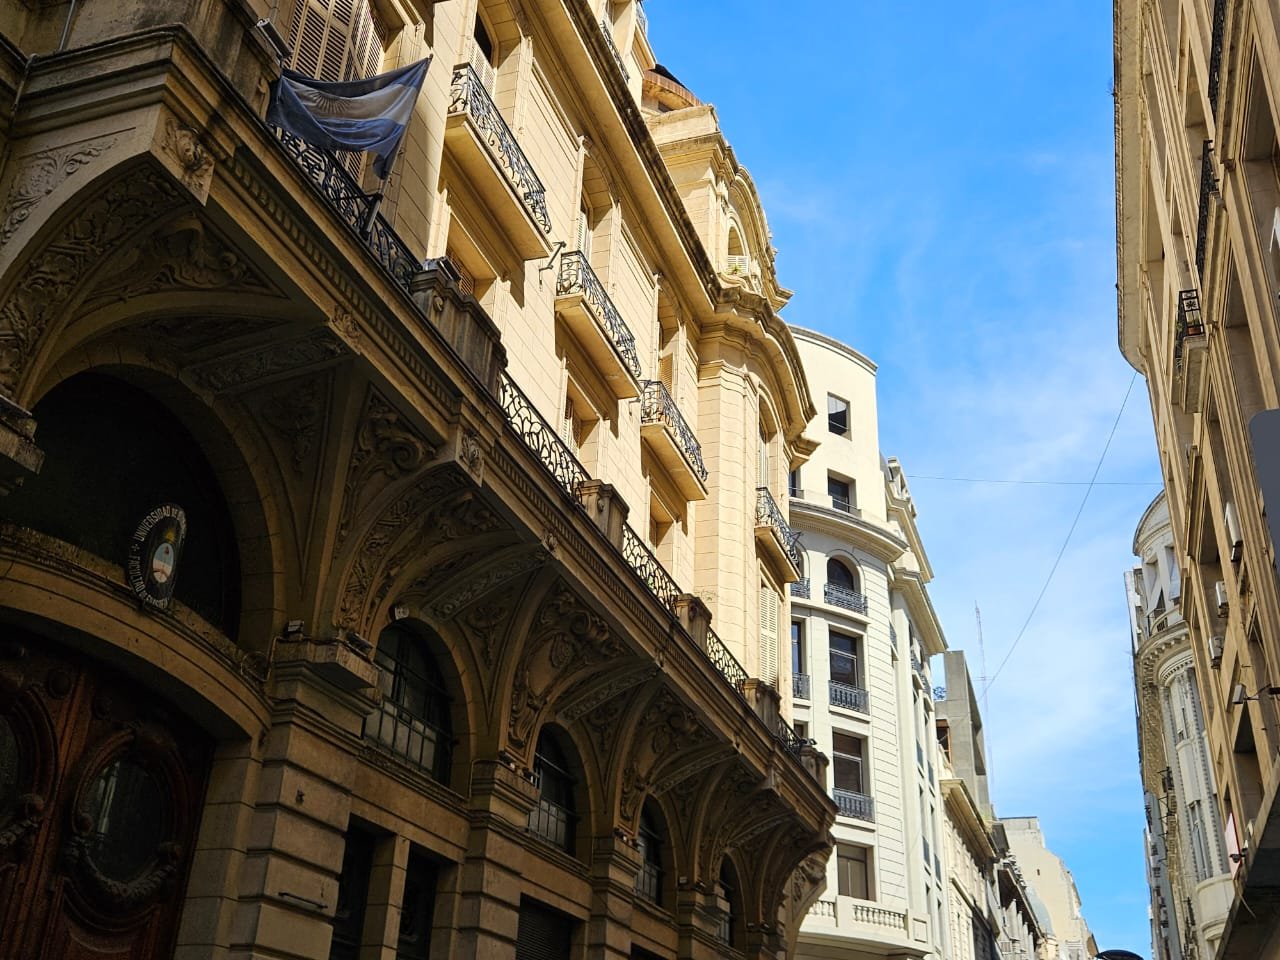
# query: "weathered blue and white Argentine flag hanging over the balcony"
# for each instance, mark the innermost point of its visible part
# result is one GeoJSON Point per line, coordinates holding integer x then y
{"type": "Point", "coordinates": [367, 116]}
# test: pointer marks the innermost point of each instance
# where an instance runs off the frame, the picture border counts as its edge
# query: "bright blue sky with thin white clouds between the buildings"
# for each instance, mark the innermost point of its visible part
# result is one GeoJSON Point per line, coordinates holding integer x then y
{"type": "Point", "coordinates": [939, 180]}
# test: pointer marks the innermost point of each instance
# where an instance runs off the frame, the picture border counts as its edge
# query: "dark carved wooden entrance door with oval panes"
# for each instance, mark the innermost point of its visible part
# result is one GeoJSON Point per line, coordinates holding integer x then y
{"type": "Point", "coordinates": [102, 785]}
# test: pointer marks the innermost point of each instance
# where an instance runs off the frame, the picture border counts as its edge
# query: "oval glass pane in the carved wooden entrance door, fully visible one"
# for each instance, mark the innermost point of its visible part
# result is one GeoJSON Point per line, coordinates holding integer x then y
{"type": "Point", "coordinates": [127, 810]}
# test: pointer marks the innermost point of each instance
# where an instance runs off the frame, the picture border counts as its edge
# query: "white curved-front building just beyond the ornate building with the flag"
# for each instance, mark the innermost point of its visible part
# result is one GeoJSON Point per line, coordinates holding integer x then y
{"type": "Point", "coordinates": [862, 636]}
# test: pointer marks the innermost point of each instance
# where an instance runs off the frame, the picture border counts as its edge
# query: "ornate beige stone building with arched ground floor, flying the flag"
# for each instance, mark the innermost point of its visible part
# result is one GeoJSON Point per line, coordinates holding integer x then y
{"type": "Point", "coordinates": [400, 580]}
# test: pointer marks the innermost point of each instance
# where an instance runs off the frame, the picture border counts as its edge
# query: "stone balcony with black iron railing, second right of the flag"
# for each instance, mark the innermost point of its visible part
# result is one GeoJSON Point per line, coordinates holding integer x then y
{"type": "Point", "coordinates": [597, 326]}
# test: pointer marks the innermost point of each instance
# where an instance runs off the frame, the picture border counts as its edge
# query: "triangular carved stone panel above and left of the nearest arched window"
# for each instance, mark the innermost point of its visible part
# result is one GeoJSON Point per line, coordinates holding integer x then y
{"type": "Point", "coordinates": [387, 449]}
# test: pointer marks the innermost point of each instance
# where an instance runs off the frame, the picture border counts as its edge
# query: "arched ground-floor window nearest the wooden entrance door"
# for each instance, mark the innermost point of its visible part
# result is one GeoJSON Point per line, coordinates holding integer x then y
{"type": "Point", "coordinates": [414, 720]}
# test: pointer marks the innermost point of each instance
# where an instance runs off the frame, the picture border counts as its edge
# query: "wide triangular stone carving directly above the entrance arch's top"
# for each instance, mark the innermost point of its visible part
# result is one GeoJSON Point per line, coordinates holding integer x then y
{"type": "Point", "coordinates": [185, 255]}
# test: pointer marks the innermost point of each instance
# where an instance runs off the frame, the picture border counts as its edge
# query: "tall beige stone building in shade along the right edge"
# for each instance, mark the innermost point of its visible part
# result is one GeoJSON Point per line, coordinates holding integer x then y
{"type": "Point", "coordinates": [1199, 208]}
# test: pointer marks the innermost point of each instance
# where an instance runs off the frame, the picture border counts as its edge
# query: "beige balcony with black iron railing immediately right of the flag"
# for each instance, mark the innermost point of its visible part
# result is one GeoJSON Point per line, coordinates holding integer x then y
{"type": "Point", "coordinates": [483, 147]}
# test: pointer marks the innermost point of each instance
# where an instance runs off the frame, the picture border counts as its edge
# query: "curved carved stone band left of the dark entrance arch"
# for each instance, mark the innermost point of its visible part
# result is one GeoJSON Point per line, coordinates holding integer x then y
{"type": "Point", "coordinates": [53, 276]}
